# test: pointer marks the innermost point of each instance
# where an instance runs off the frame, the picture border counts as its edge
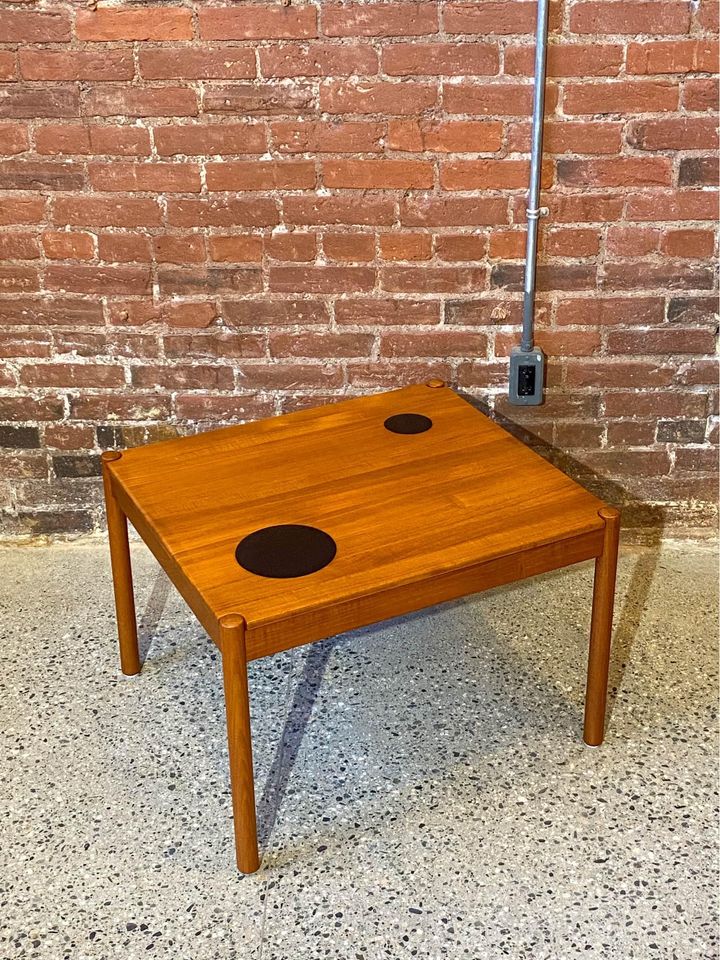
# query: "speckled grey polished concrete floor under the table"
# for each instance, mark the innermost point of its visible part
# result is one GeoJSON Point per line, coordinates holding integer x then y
{"type": "Point", "coordinates": [423, 788]}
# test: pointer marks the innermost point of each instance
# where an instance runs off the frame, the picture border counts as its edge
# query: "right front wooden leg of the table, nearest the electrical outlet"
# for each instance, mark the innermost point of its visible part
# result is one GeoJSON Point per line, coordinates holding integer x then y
{"type": "Point", "coordinates": [601, 629]}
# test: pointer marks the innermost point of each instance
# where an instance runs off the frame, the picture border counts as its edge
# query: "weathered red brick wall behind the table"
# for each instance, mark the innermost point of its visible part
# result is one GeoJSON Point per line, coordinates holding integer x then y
{"type": "Point", "coordinates": [215, 213]}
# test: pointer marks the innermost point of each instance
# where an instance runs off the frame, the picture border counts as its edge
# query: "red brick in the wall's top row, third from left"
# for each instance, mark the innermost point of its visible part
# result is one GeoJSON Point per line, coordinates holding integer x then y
{"type": "Point", "coordinates": [258, 22]}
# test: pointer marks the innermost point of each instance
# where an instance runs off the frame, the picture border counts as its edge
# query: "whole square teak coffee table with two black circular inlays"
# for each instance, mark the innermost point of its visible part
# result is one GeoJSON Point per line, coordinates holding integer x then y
{"type": "Point", "coordinates": [292, 529]}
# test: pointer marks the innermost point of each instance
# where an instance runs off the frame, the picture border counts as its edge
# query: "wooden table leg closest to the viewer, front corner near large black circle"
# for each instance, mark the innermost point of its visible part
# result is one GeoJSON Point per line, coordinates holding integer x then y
{"type": "Point", "coordinates": [237, 708]}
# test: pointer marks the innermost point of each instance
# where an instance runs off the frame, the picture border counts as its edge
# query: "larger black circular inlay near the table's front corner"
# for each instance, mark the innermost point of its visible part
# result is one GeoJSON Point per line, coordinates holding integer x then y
{"type": "Point", "coordinates": [285, 550]}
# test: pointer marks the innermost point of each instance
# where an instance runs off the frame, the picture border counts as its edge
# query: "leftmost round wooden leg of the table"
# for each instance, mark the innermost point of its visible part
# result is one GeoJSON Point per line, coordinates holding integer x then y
{"type": "Point", "coordinates": [122, 572]}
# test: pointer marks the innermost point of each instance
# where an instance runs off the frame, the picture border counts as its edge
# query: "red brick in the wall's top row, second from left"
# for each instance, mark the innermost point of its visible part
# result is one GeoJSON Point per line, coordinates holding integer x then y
{"type": "Point", "coordinates": [158, 23]}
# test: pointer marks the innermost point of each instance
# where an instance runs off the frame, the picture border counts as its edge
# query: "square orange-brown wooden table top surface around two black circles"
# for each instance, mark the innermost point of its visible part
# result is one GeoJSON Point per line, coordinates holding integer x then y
{"type": "Point", "coordinates": [402, 508]}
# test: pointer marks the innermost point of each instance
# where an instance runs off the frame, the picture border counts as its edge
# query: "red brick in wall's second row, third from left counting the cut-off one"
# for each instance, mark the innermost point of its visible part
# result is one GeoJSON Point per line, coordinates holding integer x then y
{"type": "Point", "coordinates": [197, 63]}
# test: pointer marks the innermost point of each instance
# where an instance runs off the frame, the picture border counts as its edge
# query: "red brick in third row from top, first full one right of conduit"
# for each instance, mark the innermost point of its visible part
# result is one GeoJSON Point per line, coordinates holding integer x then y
{"type": "Point", "coordinates": [622, 96]}
